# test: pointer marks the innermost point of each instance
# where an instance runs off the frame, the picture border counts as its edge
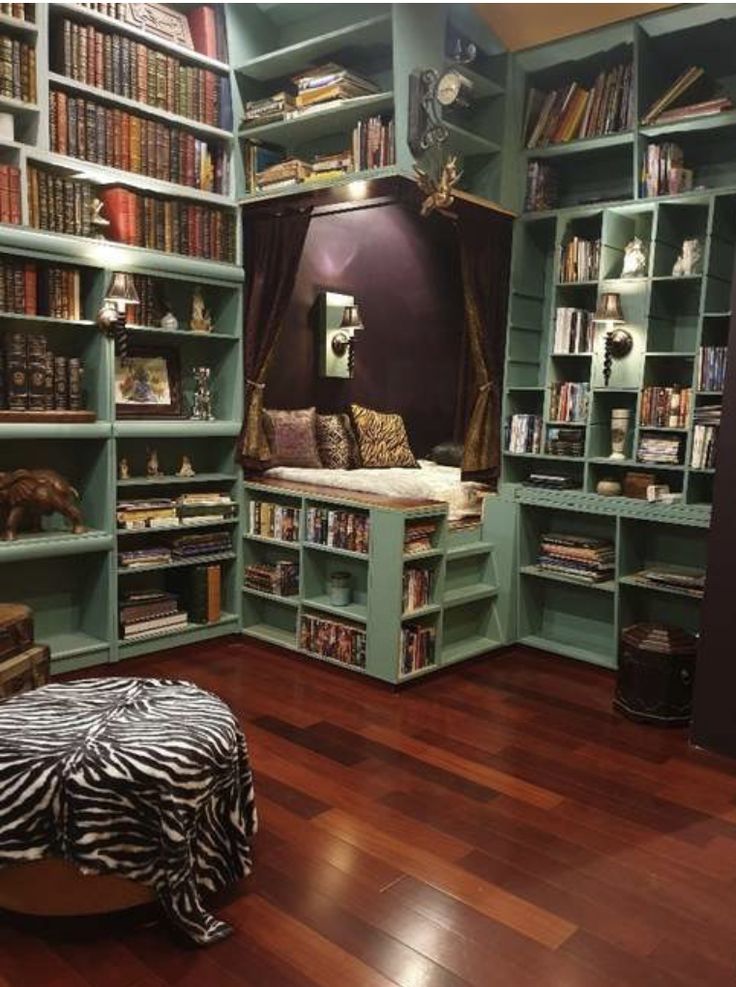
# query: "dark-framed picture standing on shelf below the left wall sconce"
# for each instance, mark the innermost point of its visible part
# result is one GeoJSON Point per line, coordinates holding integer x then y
{"type": "Point", "coordinates": [148, 384]}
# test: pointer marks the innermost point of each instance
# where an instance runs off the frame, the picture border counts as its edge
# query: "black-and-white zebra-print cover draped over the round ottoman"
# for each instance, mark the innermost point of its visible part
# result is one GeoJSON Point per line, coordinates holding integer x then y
{"type": "Point", "coordinates": [144, 778]}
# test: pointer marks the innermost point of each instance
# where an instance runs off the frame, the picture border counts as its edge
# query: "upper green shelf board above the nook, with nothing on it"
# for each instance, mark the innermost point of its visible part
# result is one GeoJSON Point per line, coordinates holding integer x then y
{"type": "Point", "coordinates": [293, 58]}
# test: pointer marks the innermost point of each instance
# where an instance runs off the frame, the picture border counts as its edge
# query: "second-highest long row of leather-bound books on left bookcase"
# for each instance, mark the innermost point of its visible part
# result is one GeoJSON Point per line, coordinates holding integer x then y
{"type": "Point", "coordinates": [82, 128]}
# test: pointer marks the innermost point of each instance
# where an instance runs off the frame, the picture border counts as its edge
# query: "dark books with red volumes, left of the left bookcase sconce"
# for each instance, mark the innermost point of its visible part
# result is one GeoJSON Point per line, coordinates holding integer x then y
{"type": "Point", "coordinates": [29, 290]}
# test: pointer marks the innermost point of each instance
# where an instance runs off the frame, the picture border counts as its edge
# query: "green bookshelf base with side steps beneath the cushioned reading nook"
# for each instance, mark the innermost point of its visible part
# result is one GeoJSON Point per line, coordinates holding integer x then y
{"type": "Point", "coordinates": [466, 610]}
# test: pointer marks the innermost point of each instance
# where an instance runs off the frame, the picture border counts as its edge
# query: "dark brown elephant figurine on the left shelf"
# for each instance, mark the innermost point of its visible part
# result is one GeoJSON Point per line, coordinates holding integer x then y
{"type": "Point", "coordinates": [27, 495]}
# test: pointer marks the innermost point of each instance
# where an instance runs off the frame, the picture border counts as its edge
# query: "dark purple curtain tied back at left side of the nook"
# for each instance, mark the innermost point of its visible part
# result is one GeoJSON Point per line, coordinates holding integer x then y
{"type": "Point", "coordinates": [272, 247]}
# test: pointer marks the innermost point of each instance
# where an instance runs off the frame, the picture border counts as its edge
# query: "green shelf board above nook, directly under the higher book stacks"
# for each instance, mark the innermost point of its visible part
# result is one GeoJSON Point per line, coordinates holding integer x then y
{"type": "Point", "coordinates": [314, 124]}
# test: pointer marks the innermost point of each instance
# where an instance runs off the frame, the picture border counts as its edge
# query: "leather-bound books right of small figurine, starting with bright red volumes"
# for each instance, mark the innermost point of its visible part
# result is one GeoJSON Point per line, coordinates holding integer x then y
{"type": "Point", "coordinates": [171, 225]}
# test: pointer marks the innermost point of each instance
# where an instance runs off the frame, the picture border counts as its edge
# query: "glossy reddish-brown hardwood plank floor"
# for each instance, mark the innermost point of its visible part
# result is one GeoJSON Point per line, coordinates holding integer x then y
{"type": "Point", "coordinates": [497, 826]}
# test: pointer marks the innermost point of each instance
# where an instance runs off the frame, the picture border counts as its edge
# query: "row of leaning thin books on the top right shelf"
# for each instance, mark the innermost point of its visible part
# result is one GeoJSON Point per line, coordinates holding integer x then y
{"type": "Point", "coordinates": [573, 112]}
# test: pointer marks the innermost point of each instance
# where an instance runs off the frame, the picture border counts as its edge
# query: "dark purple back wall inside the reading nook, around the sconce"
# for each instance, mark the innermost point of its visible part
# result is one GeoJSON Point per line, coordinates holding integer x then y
{"type": "Point", "coordinates": [403, 271]}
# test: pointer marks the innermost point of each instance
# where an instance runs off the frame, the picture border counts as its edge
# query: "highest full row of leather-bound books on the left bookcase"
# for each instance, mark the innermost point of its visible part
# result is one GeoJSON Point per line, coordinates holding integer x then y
{"type": "Point", "coordinates": [137, 71]}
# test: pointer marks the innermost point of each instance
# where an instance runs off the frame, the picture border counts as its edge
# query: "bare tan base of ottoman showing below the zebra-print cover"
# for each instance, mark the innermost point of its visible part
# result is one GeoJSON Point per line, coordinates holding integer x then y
{"type": "Point", "coordinates": [55, 887]}
